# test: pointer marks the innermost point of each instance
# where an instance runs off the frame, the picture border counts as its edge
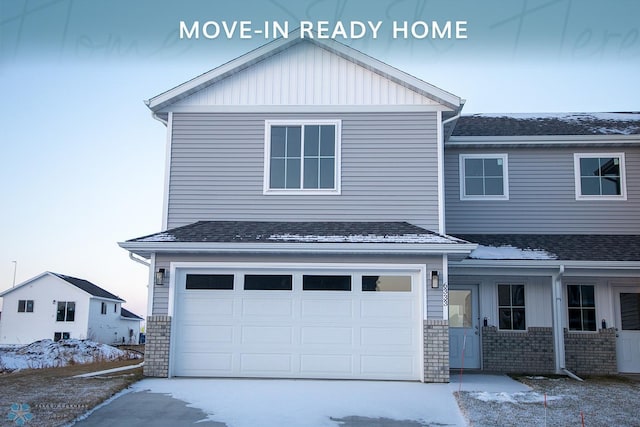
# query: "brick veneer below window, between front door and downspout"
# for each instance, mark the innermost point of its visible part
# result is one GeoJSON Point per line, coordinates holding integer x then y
{"type": "Point", "coordinates": [528, 351]}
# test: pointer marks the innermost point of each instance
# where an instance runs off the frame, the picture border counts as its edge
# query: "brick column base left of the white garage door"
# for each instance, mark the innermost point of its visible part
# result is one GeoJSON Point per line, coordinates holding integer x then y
{"type": "Point", "coordinates": [156, 352]}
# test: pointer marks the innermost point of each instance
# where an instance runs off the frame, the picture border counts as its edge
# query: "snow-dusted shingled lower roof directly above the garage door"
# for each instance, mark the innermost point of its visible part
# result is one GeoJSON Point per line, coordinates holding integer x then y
{"type": "Point", "coordinates": [278, 236]}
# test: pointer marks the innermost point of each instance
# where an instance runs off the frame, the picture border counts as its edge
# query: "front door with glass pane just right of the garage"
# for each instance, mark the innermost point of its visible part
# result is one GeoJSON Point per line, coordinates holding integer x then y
{"type": "Point", "coordinates": [464, 337]}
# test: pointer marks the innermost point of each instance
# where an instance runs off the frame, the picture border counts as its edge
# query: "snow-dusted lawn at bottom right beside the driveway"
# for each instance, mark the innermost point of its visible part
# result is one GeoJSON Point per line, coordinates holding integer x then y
{"type": "Point", "coordinates": [600, 401]}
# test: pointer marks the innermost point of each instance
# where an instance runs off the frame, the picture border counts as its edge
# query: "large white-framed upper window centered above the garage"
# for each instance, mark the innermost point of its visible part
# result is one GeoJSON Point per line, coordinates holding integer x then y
{"type": "Point", "coordinates": [302, 157]}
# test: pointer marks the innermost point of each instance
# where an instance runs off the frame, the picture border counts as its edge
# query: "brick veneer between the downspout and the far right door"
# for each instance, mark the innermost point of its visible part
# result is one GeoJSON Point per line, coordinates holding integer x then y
{"type": "Point", "coordinates": [589, 353]}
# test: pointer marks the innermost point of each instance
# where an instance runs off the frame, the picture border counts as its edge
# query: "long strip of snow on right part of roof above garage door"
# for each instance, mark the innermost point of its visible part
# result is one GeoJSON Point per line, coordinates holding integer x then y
{"type": "Point", "coordinates": [358, 238]}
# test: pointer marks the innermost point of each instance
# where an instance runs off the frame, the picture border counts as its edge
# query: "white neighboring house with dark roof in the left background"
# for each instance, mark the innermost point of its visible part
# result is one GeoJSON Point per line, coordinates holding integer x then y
{"type": "Point", "coordinates": [56, 306]}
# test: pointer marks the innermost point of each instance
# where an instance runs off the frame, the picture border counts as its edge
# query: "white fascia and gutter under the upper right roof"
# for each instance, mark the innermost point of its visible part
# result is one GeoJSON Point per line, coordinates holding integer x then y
{"type": "Point", "coordinates": [464, 141]}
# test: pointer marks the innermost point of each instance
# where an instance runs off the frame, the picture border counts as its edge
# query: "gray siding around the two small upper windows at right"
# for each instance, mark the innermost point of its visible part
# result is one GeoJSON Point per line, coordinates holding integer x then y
{"type": "Point", "coordinates": [542, 196]}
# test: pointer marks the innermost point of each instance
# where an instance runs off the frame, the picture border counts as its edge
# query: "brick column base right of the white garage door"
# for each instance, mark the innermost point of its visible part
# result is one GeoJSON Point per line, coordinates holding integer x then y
{"type": "Point", "coordinates": [436, 351]}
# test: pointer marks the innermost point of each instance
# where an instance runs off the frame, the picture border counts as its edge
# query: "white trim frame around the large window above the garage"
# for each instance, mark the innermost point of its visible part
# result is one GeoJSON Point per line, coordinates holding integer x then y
{"type": "Point", "coordinates": [302, 191]}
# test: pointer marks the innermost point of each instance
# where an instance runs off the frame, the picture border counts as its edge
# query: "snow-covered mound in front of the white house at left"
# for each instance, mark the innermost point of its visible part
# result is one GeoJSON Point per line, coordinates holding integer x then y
{"type": "Point", "coordinates": [48, 354]}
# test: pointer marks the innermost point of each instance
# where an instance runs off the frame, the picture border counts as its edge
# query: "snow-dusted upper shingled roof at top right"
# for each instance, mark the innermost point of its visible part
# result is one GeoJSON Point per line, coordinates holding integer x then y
{"type": "Point", "coordinates": [548, 124]}
